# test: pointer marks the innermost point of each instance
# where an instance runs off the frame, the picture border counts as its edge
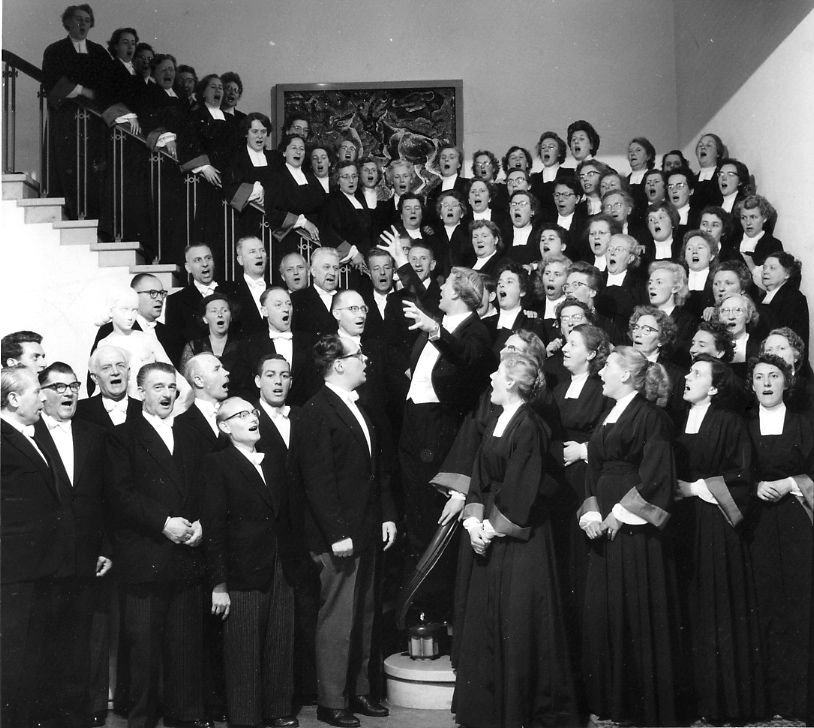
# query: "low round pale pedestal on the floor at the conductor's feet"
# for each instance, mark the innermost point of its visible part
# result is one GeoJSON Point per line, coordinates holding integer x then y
{"type": "Point", "coordinates": [420, 684]}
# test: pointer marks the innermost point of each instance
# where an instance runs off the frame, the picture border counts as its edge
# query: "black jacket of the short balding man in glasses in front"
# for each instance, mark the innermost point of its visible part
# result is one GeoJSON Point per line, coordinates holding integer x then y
{"type": "Point", "coordinates": [243, 518]}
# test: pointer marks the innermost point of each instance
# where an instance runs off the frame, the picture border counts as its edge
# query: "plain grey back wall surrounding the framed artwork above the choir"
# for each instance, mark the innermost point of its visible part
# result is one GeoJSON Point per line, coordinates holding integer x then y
{"type": "Point", "coordinates": [527, 65]}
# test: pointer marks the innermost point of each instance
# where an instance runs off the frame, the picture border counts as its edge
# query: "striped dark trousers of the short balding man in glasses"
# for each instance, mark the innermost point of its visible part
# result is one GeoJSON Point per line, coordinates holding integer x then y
{"type": "Point", "coordinates": [258, 646]}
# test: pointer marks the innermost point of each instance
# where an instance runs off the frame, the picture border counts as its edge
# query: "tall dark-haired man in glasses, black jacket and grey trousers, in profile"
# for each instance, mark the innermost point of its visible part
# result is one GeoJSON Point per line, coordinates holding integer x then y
{"type": "Point", "coordinates": [348, 510]}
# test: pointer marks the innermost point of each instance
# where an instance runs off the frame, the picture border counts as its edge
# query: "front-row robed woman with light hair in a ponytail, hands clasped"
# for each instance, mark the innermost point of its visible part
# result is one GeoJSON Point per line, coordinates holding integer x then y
{"type": "Point", "coordinates": [628, 618]}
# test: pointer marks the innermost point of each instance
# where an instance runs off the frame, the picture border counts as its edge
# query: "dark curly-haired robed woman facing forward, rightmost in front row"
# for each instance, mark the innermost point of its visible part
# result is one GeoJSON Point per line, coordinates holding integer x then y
{"type": "Point", "coordinates": [781, 529]}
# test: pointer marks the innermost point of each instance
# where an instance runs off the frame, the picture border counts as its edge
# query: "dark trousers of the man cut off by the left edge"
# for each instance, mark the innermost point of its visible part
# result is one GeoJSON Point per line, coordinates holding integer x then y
{"type": "Point", "coordinates": [26, 620]}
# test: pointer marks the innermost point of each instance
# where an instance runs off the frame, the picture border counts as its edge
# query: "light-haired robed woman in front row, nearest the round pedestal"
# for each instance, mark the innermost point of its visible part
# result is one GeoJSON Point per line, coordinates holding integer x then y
{"type": "Point", "coordinates": [513, 668]}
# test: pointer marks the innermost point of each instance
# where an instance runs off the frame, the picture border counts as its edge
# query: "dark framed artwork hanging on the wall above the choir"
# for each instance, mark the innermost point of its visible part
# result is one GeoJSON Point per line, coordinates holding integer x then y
{"type": "Point", "coordinates": [387, 120]}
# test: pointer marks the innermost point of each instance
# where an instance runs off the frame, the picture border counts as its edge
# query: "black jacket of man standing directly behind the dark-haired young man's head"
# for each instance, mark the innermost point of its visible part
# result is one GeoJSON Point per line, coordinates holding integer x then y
{"type": "Point", "coordinates": [305, 380]}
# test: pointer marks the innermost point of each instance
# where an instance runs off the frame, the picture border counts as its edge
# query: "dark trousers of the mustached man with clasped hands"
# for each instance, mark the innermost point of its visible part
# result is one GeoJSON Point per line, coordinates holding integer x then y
{"type": "Point", "coordinates": [162, 623]}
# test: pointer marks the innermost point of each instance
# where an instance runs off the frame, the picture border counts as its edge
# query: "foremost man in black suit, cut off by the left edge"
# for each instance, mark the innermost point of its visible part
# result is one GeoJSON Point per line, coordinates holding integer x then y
{"type": "Point", "coordinates": [37, 535]}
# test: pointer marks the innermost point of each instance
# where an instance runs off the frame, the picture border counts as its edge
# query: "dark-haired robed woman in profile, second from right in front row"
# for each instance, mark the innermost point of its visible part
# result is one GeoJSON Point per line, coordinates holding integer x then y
{"type": "Point", "coordinates": [713, 461]}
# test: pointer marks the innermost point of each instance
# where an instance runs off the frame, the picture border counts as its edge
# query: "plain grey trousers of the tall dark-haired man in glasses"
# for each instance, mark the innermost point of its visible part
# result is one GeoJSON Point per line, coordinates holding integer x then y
{"type": "Point", "coordinates": [344, 626]}
